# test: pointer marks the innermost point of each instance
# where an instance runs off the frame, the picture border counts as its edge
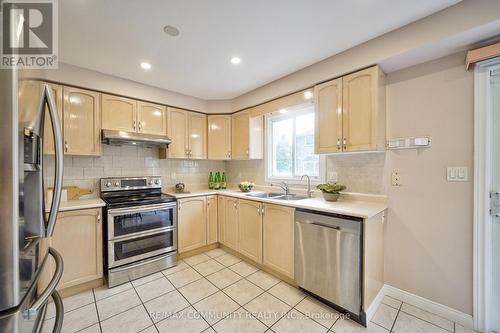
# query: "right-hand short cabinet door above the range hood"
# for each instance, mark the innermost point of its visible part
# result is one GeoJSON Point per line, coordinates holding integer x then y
{"type": "Point", "coordinates": [151, 118]}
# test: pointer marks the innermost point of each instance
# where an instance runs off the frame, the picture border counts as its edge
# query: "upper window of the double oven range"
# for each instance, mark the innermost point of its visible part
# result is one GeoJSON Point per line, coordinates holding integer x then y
{"type": "Point", "coordinates": [144, 221]}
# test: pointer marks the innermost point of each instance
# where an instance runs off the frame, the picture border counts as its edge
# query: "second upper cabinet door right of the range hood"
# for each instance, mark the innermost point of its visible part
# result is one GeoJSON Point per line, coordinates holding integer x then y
{"type": "Point", "coordinates": [197, 135]}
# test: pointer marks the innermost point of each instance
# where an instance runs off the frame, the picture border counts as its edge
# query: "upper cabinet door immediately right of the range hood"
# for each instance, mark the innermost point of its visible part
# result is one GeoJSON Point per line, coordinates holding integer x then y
{"type": "Point", "coordinates": [177, 131]}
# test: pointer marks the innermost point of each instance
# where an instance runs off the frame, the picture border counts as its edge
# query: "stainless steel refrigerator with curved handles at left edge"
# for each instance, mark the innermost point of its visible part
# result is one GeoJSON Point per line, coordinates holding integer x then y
{"type": "Point", "coordinates": [24, 223]}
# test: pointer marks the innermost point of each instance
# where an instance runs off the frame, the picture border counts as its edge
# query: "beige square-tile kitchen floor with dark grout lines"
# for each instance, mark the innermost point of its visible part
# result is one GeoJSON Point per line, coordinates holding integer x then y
{"type": "Point", "coordinates": [217, 292]}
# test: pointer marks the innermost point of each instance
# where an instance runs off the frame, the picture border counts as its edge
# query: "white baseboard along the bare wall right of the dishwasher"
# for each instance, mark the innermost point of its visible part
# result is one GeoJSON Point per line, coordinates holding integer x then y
{"type": "Point", "coordinates": [428, 305]}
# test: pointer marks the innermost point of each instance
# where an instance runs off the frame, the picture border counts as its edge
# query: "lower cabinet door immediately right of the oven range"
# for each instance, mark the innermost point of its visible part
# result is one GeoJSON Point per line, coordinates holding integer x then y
{"type": "Point", "coordinates": [192, 223]}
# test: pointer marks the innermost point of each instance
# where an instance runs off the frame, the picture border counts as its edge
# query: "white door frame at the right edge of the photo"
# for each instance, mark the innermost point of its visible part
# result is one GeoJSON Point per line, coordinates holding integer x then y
{"type": "Point", "coordinates": [482, 187]}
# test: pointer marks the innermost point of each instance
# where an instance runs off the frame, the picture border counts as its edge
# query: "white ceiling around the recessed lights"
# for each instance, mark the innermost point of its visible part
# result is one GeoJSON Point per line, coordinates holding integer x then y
{"type": "Point", "coordinates": [272, 38]}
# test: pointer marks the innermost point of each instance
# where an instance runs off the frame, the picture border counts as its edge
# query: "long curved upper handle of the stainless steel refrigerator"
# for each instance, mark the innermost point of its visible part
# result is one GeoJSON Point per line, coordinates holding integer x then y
{"type": "Point", "coordinates": [59, 158]}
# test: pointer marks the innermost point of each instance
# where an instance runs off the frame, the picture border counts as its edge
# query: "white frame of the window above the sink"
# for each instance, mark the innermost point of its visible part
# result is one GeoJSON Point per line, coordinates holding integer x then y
{"type": "Point", "coordinates": [292, 112]}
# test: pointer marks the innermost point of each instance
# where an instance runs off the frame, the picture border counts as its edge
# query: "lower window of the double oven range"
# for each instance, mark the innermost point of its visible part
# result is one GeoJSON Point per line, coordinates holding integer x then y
{"type": "Point", "coordinates": [142, 245]}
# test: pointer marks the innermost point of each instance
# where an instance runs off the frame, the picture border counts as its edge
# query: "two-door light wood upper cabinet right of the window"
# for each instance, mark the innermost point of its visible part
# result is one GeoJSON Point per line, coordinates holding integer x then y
{"type": "Point", "coordinates": [350, 113]}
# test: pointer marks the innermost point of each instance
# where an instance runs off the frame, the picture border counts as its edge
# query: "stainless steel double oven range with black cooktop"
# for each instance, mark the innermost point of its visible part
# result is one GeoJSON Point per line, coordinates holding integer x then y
{"type": "Point", "coordinates": [140, 228]}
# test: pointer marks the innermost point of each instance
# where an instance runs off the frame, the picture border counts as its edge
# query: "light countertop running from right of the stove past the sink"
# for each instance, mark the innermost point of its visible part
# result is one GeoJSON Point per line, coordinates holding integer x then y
{"type": "Point", "coordinates": [350, 207]}
